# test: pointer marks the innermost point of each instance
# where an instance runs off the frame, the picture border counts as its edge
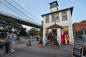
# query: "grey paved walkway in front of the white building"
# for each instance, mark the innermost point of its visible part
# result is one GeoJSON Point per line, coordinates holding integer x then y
{"type": "Point", "coordinates": [35, 51]}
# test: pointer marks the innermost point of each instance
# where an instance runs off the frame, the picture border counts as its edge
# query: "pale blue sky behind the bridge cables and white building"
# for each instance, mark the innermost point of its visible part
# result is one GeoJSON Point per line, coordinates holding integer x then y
{"type": "Point", "coordinates": [40, 7]}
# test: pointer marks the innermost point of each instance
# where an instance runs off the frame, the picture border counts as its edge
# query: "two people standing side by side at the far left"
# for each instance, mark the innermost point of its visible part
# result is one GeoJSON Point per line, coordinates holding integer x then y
{"type": "Point", "coordinates": [10, 42]}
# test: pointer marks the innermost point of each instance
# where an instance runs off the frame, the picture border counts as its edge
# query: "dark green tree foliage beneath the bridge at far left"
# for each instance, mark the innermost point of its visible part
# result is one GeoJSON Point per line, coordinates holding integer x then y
{"type": "Point", "coordinates": [8, 24]}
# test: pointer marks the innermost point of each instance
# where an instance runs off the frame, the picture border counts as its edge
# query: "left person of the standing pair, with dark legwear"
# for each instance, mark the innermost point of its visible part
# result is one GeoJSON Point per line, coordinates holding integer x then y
{"type": "Point", "coordinates": [8, 42]}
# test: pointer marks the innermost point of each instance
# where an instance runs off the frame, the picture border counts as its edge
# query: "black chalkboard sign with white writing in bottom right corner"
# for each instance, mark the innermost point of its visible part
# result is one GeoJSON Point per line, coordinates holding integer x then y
{"type": "Point", "coordinates": [78, 50]}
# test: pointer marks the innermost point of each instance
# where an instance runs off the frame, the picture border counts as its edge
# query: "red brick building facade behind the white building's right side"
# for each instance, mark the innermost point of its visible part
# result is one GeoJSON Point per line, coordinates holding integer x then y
{"type": "Point", "coordinates": [79, 26]}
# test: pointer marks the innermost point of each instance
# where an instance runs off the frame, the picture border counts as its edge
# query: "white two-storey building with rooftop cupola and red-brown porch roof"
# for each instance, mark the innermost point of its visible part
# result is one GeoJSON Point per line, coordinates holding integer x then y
{"type": "Point", "coordinates": [59, 20]}
